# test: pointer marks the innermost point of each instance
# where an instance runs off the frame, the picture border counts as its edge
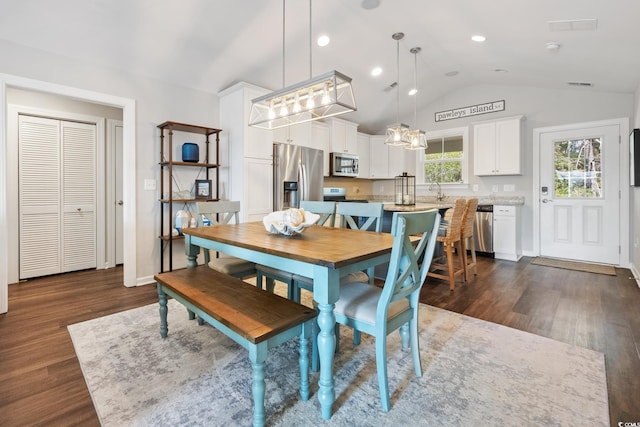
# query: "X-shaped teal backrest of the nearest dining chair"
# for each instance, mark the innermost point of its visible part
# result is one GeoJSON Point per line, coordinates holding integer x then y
{"type": "Point", "coordinates": [405, 276]}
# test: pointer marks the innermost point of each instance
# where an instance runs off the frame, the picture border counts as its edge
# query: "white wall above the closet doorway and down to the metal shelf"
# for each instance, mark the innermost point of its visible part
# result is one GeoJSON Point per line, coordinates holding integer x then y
{"type": "Point", "coordinates": [156, 102]}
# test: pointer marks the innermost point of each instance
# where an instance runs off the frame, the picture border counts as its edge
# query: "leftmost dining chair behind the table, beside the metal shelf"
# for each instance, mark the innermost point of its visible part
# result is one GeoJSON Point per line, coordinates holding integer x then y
{"type": "Point", "coordinates": [218, 213]}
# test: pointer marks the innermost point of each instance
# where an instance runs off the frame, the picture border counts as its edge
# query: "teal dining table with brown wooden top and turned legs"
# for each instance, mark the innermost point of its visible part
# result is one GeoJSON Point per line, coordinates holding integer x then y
{"type": "Point", "coordinates": [321, 253]}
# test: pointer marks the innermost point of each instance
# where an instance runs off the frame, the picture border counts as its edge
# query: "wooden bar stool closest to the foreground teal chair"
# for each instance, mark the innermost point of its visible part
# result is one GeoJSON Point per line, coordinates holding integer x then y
{"type": "Point", "coordinates": [450, 235]}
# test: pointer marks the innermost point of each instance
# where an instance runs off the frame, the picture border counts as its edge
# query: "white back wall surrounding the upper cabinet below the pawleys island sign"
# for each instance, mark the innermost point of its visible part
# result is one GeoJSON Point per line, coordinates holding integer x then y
{"type": "Point", "coordinates": [541, 108]}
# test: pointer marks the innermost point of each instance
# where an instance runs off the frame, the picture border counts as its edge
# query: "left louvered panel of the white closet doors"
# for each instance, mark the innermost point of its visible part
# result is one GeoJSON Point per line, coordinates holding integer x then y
{"type": "Point", "coordinates": [39, 186]}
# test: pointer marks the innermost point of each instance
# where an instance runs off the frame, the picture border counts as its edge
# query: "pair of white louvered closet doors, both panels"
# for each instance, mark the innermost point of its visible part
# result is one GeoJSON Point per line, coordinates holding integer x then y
{"type": "Point", "coordinates": [57, 196]}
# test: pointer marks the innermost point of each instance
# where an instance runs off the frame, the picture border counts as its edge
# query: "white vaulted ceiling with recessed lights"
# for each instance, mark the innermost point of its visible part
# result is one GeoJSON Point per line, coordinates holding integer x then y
{"type": "Point", "coordinates": [212, 44]}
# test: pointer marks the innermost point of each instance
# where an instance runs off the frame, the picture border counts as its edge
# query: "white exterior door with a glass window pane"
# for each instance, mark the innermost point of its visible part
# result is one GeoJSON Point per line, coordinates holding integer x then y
{"type": "Point", "coordinates": [579, 194]}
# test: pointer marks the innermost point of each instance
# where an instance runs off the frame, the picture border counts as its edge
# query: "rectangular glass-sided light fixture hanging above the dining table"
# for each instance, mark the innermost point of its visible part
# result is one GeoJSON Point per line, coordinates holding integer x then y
{"type": "Point", "coordinates": [326, 95]}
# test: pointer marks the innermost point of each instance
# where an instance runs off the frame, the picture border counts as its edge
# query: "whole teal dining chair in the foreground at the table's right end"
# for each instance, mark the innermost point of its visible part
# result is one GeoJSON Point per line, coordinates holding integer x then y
{"type": "Point", "coordinates": [380, 311]}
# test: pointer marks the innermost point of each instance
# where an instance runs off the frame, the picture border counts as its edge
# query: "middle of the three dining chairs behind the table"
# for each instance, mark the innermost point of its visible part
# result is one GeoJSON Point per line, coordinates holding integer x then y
{"type": "Point", "coordinates": [327, 212]}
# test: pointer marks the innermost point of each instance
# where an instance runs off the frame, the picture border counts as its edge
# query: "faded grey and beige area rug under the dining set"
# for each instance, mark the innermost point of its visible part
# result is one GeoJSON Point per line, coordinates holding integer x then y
{"type": "Point", "coordinates": [474, 373]}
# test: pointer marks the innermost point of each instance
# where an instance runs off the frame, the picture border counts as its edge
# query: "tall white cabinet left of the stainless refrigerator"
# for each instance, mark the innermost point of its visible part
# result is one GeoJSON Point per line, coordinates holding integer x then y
{"type": "Point", "coordinates": [249, 150]}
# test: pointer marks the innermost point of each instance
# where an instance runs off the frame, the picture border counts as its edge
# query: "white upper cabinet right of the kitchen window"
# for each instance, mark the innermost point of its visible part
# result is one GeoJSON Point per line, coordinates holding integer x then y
{"type": "Point", "coordinates": [496, 147]}
